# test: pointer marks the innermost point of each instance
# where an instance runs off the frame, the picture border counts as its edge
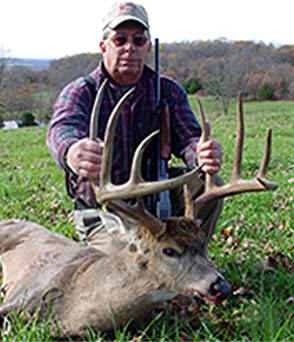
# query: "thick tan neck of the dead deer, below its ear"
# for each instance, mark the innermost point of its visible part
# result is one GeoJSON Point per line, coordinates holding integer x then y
{"type": "Point", "coordinates": [124, 285]}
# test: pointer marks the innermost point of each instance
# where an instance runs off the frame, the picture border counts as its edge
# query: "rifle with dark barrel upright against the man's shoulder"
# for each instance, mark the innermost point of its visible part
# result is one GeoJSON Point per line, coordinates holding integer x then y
{"type": "Point", "coordinates": [163, 203]}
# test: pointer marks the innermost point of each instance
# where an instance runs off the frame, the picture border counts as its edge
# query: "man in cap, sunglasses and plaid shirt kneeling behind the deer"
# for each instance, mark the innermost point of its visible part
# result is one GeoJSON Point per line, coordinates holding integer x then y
{"type": "Point", "coordinates": [125, 47]}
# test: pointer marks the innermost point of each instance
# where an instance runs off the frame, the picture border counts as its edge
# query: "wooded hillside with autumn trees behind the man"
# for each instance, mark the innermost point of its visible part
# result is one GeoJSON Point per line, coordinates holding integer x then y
{"type": "Point", "coordinates": [220, 68]}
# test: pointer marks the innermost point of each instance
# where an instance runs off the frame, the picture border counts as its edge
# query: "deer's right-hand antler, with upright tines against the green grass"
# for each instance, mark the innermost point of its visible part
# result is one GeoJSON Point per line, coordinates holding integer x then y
{"type": "Point", "coordinates": [237, 184]}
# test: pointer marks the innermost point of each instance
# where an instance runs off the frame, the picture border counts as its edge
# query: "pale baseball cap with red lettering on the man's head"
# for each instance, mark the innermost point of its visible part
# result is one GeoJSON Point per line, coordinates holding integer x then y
{"type": "Point", "coordinates": [125, 11]}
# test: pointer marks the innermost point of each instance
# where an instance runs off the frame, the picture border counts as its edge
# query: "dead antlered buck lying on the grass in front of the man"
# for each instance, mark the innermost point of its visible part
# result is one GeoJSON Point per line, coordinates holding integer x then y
{"type": "Point", "coordinates": [44, 271]}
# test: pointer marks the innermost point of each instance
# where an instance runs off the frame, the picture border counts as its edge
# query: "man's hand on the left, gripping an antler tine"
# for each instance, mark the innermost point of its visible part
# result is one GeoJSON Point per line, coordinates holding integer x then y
{"type": "Point", "coordinates": [85, 158]}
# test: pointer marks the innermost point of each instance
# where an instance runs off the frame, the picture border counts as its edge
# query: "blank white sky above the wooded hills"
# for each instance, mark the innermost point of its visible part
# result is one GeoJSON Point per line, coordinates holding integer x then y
{"type": "Point", "coordinates": [59, 28]}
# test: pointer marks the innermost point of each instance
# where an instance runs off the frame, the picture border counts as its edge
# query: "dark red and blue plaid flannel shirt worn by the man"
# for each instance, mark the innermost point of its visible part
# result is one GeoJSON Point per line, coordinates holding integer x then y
{"type": "Point", "coordinates": [138, 118]}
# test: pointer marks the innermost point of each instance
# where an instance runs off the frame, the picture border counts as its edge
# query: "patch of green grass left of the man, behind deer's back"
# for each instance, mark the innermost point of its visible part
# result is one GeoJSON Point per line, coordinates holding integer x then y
{"type": "Point", "coordinates": [32, 187]}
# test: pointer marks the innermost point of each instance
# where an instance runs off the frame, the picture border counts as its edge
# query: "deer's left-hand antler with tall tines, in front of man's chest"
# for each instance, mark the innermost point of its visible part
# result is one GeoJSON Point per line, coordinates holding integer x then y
{"type": "Point", "coordinates": [136, 186]}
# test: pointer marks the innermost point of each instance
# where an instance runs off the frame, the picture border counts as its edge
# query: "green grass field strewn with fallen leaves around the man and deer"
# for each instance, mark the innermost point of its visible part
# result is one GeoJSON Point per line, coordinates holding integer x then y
{"type": "Point", "coordinates": [253, 245]}
